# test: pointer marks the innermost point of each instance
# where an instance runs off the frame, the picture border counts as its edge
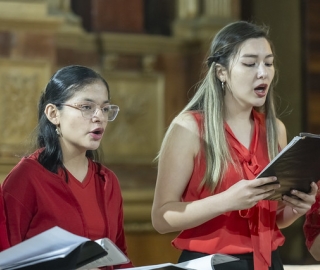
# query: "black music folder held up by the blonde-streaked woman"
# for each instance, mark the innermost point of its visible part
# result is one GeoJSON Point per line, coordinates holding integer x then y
{"type": "Point", "coordinates": [296, 166]}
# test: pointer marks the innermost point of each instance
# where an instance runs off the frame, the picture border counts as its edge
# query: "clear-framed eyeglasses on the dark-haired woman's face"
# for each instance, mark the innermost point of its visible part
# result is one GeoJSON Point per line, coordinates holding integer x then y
{"type": "Point", "coordinates": [89, 109]}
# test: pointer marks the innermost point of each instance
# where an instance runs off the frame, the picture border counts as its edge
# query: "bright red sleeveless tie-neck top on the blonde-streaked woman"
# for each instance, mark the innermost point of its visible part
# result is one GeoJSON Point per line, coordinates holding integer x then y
{"type": "Point", "coordinates": [237, 232]}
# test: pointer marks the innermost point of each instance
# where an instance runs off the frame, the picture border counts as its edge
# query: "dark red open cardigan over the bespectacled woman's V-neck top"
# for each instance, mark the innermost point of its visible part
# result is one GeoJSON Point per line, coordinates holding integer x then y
{"type": "Point", "coordinates": [36, 200]}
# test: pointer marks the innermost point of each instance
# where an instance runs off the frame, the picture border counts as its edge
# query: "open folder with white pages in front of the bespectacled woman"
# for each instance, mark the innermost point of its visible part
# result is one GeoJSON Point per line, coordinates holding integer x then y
{"type": "Point", "coordinates": [59, 249]}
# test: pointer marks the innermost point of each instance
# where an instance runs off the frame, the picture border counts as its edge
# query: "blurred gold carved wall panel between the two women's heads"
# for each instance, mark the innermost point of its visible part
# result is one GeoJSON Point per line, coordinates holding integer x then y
{"type": "Point", "coordinates": [136, 134]}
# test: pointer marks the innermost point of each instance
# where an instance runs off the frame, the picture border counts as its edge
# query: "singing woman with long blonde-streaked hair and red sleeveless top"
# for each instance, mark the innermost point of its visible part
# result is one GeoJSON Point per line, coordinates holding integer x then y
{"type": "Point", "coordinates": [214, 149]}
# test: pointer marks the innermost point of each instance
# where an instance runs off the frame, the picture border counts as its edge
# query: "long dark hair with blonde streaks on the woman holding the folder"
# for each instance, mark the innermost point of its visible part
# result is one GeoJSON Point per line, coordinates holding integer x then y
{"type": "Point", "coordinates": [209, 101]}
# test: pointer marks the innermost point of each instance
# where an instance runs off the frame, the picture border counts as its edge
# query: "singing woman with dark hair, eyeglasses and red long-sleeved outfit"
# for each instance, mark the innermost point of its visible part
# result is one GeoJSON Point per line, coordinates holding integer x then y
{"type": "Point", "coordinates": [62, 182]}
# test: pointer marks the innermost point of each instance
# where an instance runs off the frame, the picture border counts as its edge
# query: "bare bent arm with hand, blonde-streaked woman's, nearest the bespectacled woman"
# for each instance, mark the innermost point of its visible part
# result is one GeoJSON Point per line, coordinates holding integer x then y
{"type": "Point", "coordinates": [176, 159]}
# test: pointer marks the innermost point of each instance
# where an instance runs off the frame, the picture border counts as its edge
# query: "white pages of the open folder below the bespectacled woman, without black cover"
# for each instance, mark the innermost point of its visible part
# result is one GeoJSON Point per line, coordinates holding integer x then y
{"type": "Point", "coordinates": [56, 243]}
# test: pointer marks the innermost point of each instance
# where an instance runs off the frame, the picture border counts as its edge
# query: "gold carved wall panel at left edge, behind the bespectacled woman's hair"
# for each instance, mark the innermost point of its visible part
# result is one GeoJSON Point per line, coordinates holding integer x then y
{"type": "Point", "coordinates": [21, 84]}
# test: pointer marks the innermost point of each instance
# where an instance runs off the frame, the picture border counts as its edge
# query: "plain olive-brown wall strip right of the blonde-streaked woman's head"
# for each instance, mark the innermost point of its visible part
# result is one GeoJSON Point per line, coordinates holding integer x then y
{"type": "Point", "coordinates": [284, 19]}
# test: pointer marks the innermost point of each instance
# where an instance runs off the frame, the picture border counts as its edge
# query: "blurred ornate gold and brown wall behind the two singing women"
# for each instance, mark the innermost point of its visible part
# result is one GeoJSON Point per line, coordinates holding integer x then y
{"type": "Point", "coordinates": [152, 54]}
